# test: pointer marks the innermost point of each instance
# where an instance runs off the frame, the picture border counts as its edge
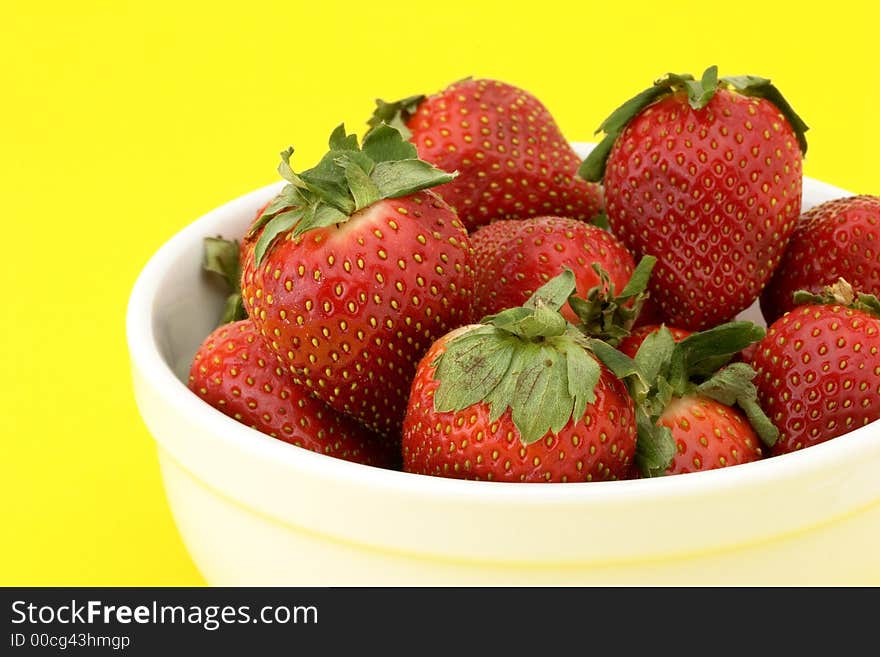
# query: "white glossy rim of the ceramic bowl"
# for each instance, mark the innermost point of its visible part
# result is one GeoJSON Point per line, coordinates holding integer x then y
{"type": "Point", "coordinates": [146, 356]}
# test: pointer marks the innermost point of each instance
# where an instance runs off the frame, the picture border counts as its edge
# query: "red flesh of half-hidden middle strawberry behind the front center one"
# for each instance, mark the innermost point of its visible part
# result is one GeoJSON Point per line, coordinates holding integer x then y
{"type": "Point", "coordinates": [525, 254]}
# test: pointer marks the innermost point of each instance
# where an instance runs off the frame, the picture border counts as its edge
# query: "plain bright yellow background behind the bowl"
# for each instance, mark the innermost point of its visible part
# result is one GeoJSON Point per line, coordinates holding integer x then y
{"type": "Point", "coordinates": [120, 122]}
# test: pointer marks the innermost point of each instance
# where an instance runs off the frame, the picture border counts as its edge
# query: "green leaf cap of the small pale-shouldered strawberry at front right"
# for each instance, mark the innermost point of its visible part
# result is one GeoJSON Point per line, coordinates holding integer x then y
{"type": "Point", "coordinates": [664, 370]}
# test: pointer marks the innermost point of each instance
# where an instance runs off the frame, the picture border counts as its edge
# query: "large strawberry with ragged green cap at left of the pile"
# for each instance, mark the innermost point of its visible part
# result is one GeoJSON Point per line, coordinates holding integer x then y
{"type": "Point", "coordinates": [357, 268]}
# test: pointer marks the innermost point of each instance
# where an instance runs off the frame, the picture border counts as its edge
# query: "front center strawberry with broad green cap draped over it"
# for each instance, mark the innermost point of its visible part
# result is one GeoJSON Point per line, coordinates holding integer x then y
{"type": "Point", "coordinates": [519, 398]}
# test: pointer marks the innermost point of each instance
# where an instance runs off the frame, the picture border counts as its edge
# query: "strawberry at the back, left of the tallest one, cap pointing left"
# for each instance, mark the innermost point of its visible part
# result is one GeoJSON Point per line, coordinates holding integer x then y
{"type": "Point", "coordinates": [512, 158]}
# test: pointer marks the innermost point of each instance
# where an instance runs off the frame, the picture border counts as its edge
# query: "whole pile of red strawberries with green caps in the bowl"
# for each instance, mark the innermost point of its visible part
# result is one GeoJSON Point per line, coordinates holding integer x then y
{"type": "Point", "coordinates": [458, 294]}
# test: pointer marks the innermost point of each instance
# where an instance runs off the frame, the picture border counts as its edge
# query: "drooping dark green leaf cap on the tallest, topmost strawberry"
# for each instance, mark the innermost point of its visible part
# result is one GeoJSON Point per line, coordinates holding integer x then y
{"type": "Point", "coordinates": [699, 93]}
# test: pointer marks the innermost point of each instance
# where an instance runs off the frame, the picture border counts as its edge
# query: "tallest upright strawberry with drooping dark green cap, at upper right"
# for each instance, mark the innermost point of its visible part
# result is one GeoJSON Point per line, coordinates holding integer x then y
{"type": "Point", "coordinates": [707, 177]}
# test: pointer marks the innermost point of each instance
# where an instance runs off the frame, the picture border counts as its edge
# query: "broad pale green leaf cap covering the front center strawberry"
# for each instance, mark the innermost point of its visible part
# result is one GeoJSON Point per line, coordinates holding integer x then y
{"type": "Point", "coordinates": [527, 359]}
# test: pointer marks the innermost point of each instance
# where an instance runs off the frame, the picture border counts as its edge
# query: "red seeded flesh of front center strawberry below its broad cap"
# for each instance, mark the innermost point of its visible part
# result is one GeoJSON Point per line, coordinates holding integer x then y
{"type": "Point", "coordinates": [467, 444]}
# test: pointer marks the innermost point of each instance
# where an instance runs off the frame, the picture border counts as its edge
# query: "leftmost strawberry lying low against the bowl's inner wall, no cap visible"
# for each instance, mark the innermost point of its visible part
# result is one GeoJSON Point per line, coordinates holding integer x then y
{"type": "Point", "coordinates": [236, 374]}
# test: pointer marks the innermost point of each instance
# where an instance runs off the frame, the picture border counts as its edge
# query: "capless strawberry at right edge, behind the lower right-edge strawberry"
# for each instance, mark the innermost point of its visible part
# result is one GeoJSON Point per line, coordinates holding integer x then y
{"type": "Point", "coordinates": [837, 239]}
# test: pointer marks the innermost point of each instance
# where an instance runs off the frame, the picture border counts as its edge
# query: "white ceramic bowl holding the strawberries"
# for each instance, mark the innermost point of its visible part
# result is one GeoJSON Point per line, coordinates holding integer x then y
{"type": "Point", "coordinates": [256, 511]}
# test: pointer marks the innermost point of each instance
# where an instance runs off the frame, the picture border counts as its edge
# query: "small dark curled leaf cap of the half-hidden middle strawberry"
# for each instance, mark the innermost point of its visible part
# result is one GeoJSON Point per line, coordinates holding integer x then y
{"type": "Point", "coordinates": [609, 316]}
